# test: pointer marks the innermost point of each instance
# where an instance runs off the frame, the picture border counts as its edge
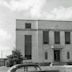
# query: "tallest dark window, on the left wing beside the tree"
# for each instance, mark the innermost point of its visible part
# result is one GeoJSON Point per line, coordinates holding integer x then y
{"type": "Point", "coordinates": [28, 46]}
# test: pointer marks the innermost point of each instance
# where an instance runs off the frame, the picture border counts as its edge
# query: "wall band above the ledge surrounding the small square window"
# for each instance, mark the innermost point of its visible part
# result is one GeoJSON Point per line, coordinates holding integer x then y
{"type": "Point", "coordinates": [20, 24]}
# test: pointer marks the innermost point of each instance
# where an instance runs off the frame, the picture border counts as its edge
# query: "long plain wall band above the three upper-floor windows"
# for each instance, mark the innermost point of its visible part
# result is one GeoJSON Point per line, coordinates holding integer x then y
{"type": "Point", "coordinates": [56, 25]}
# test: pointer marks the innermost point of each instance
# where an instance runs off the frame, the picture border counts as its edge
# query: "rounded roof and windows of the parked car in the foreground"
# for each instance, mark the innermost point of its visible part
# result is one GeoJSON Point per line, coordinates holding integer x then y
{"type": "Point", "coordinates": [25, 68]}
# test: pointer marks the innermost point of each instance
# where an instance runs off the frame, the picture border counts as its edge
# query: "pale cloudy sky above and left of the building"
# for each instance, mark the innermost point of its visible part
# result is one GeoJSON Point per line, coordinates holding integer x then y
{"type": "Point", "coordinates": [10, 10]}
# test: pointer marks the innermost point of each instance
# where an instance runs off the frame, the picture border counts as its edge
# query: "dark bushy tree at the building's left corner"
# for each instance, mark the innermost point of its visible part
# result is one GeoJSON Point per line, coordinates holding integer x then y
{"type": "Point", "coordinates": [15, 58]}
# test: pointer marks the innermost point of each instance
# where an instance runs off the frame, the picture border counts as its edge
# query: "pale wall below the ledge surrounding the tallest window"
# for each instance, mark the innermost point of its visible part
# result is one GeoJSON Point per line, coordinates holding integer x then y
{"type": "Point", "coordinates": [21, 41]}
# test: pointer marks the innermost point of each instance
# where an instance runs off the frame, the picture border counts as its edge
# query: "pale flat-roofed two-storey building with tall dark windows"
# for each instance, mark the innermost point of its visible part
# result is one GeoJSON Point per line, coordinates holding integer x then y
{"type": "Point", "coordinates": [44, 40]}
